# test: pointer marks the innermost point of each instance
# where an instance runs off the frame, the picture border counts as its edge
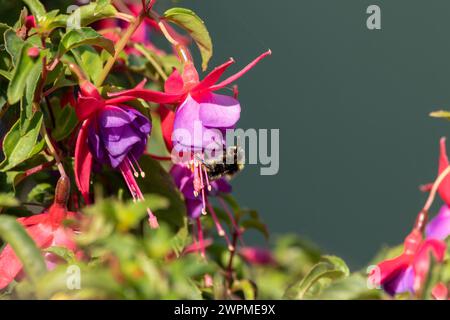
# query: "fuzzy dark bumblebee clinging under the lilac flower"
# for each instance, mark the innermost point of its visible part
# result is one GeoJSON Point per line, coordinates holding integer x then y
{"type": "Point", "coordinates": [227, 165]}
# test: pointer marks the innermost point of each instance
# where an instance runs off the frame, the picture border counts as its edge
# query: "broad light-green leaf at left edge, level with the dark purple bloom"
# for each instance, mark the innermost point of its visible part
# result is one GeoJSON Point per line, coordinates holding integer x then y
{"type": "Point", "coordinates": [18, 146]}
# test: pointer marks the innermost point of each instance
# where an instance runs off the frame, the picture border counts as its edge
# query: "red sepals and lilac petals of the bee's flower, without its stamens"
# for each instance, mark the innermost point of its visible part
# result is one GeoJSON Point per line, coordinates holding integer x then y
{"type": "Point", "coordinates": [197, 102]}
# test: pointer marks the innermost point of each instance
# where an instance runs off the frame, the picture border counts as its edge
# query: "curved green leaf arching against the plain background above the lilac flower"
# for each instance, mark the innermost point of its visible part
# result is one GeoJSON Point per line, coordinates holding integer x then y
{"type": "Point", "coordinates": [188, 20]}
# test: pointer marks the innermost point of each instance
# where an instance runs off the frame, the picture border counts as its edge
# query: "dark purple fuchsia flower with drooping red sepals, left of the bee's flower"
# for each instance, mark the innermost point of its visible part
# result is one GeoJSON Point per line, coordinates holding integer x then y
{"type": "Point", "coordinates": [112, 134]}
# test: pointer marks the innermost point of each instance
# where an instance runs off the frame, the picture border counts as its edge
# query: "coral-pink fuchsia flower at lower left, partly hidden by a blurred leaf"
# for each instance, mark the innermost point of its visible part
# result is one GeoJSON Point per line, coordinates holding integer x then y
{"type": "Point", "coordinates": [47, 230]}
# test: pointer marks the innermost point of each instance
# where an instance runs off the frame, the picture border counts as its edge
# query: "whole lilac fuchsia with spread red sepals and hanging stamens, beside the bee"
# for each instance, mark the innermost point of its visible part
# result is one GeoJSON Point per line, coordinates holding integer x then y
{"type": "Point", "coordinates": [198, 106]}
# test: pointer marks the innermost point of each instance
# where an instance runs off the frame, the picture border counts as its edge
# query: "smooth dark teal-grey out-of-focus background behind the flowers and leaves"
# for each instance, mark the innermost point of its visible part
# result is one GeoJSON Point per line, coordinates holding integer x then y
{"type": "Point", "coordinates": [352, 107]}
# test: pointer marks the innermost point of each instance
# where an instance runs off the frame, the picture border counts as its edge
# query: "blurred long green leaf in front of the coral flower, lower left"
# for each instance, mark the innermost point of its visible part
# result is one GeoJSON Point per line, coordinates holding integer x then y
{"type": "Point", "coordinates": [24, 247]}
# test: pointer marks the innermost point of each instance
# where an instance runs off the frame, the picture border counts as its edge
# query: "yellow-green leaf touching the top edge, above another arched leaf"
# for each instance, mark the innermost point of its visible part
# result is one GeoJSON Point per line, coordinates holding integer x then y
{"type": "Point", "coordinates": [90, 13]}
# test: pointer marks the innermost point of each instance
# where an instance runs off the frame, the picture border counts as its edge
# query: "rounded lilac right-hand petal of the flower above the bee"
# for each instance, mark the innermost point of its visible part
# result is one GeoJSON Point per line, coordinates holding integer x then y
{"type": "Point", "coordinates": [219, 111]}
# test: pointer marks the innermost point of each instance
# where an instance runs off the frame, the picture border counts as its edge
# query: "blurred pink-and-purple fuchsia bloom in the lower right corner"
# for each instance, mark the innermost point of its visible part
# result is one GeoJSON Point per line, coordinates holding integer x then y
{"type": "Point", "coordinates": [407, 272]}
